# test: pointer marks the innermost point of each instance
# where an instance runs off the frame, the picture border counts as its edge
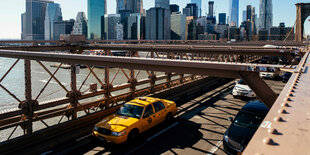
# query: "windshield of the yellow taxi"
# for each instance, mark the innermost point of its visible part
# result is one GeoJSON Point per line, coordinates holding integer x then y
{"type": "Point", "coordinates": [130, 110]}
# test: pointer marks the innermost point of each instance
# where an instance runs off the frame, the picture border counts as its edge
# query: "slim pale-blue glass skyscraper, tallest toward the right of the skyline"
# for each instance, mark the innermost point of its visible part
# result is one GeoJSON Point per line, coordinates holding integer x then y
{"type": "Point", "coordinates": [234, 12]}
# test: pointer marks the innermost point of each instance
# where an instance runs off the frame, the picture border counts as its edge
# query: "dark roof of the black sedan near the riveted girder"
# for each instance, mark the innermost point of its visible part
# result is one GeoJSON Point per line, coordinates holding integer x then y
{"type": "Point", "coordinates": [255, 106]}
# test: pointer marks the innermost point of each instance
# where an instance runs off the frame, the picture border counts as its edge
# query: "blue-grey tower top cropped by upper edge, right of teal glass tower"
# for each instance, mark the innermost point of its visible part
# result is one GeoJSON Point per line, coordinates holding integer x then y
{"type": "Point", "coordinates": [133, 6]}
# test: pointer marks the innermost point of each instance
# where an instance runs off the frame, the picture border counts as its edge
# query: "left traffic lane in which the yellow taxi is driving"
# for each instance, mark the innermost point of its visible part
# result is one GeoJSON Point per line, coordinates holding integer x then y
{"type": "Point", "coordinates": [90, 146]}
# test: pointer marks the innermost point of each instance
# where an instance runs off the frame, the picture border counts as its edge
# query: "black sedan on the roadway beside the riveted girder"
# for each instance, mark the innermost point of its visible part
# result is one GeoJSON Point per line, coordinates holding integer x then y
{"type": "Point", "coordinates": [243, 127]}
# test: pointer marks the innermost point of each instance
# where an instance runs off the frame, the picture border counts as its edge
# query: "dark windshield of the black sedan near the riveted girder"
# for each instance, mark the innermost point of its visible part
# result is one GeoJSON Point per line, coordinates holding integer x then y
{"type": "Point", "coordinates": [248, 119]}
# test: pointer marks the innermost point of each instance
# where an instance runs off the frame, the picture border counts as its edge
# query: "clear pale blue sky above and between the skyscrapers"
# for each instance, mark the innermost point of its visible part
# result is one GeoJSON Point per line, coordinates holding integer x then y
{"type": "Point", "coordinates": [11, 10]}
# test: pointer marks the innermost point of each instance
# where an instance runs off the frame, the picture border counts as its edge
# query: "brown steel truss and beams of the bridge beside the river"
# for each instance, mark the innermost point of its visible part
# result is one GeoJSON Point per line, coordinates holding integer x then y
{"type": "Point", "coordinates": [176, 61]}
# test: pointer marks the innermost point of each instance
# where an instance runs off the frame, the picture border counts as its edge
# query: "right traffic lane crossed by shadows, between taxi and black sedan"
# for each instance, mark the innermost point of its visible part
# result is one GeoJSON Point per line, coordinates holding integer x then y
{"type": "Point", "coordinates": [201, 129]}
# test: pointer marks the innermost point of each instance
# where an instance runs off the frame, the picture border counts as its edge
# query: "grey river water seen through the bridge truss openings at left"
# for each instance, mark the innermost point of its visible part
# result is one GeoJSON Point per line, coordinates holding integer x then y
{"type": "Point", "coordinates": [15, 83]}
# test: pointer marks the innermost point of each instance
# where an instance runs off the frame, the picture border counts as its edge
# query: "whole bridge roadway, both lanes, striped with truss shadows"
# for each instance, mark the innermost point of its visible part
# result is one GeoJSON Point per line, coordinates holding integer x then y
{"type": "Point", "coordinates": [198, 128]}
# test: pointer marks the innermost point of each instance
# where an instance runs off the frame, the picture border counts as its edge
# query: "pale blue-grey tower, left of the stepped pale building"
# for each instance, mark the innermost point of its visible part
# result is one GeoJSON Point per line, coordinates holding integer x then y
{"type": "Point", "coordinates": [52, 14]}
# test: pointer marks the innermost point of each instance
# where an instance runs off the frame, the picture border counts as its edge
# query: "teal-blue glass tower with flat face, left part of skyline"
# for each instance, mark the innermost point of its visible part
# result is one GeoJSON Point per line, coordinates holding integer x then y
{"type": "Point", "coordinates": [96, 10]}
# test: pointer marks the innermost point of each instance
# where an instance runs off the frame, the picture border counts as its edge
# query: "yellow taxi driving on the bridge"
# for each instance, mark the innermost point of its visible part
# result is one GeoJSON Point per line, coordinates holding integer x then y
{"type": "Point", "coordinates": [133, 118]}
